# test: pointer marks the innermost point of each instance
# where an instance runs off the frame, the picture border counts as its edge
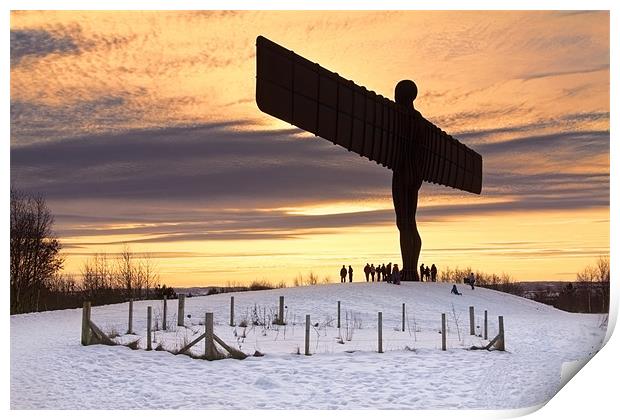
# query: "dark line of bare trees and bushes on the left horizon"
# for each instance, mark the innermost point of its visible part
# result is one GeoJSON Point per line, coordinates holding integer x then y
{"type": "Point", "coordinates": [36, 282]}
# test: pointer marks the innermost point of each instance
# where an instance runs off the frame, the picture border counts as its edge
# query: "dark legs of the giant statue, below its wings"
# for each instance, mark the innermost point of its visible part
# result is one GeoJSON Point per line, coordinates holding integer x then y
{"type": "Point", "coordinates": [405, 196]}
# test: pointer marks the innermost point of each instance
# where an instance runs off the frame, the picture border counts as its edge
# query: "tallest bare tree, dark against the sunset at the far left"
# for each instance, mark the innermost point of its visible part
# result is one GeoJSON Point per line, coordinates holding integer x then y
{"type": "Point", "coordinates": [35, 251]}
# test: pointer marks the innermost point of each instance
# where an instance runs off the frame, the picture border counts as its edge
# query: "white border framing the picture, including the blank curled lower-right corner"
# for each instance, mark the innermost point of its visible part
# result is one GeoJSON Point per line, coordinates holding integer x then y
{"type": "Point", "coordinates": [590, 395]}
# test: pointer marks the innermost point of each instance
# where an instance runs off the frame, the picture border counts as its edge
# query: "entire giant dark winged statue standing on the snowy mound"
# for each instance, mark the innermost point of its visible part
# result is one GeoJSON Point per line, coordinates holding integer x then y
{"type": "Point", "coordinates": [393, 134]}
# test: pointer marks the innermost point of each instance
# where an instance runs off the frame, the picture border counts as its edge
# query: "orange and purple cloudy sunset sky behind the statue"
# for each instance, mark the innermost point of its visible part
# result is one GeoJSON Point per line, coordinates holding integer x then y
{"type": "Point", "coordinates": [142, 128]}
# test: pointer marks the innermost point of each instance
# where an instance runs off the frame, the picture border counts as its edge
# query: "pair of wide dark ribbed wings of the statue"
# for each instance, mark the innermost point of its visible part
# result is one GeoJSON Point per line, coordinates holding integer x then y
{"type": "Point", "coordinates": [304, 94]}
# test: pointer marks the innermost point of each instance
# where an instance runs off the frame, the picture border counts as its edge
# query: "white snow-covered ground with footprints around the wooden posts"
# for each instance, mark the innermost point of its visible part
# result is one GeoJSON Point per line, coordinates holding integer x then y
{"type": "Point", "coordinates": [50, 369]}
